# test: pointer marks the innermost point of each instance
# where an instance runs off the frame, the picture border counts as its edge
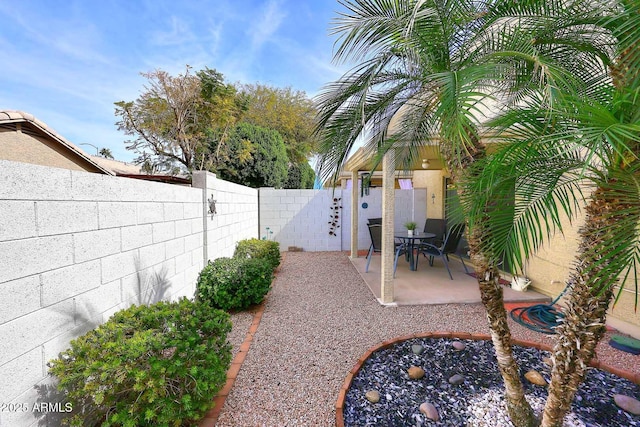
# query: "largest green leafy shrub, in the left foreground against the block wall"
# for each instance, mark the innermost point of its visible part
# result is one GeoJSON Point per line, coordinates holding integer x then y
{"type": "Point", "coordinates": [157, 365]}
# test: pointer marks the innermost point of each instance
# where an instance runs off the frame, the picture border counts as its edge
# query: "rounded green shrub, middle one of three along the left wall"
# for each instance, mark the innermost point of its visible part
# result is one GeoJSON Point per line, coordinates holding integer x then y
{"type": "Point", "coordinates": [234, 283]}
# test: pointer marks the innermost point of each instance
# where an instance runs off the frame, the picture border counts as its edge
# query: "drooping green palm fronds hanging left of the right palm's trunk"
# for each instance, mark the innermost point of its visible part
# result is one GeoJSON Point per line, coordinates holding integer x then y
{"type": "Point", "coordinates": [520, 196]}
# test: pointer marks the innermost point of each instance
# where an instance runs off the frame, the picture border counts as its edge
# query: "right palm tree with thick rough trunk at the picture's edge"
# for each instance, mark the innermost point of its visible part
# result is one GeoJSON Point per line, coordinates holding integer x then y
{"type": "Point", "coordinates": [587, 140]}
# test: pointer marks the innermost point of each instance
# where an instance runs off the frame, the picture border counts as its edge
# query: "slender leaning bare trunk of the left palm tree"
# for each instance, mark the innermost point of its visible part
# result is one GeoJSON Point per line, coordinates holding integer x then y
{"type": "Point", "coordinates": [519, 410]}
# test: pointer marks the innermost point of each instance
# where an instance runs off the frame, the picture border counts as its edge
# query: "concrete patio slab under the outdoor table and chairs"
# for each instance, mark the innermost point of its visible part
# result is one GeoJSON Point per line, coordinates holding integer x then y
{"type": "Point", "coordinates": [432, 285]}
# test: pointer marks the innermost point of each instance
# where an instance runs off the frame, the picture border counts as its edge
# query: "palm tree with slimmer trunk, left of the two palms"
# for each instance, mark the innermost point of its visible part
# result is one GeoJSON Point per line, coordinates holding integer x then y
{"type": "Point", "coordinates": [432, 67]}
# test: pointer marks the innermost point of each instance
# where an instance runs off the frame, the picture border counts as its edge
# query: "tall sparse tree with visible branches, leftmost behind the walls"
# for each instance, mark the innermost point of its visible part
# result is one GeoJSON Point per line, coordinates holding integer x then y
{"type": "Point", "coordinates": [176, 119]}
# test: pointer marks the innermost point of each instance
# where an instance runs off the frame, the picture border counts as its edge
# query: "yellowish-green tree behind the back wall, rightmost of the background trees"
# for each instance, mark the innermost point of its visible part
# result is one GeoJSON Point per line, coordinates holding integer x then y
{"type": "Point", "coordinates": [289, 112]}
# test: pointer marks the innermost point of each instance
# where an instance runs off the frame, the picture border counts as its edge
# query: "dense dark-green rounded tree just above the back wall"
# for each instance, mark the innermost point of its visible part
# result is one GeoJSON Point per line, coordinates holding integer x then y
{"type": "Point", "coordinates": [256, 157]}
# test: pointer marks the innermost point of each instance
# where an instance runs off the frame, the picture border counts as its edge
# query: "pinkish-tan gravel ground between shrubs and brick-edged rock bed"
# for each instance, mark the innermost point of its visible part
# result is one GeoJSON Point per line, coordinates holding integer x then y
{"type": "Point", "coordinates": [319, 318]}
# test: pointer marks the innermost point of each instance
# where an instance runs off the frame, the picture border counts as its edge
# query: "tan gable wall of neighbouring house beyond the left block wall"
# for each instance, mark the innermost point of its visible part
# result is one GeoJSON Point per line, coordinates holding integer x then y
{"type": "Point", "coordinates": [23, 147]}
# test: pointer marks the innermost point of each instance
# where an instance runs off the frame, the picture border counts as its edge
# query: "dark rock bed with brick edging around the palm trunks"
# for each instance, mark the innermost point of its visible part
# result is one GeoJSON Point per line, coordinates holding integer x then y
{"type": "Point", "coordinates": [478, 401]}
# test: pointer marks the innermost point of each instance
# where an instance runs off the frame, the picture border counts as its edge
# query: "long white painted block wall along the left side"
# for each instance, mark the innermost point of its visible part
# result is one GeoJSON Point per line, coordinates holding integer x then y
{"type": "Point", "coordinates": [76, 247]}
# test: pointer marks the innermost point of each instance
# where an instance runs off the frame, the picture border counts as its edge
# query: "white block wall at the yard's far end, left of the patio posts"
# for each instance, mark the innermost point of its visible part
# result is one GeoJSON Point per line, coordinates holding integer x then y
{"type": "Point", "coordinates": [299, 218]}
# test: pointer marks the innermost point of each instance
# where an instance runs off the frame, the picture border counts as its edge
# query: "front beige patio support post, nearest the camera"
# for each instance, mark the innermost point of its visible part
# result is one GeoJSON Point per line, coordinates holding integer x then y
{"type": "Point", "coordinates": [388, 246]}
